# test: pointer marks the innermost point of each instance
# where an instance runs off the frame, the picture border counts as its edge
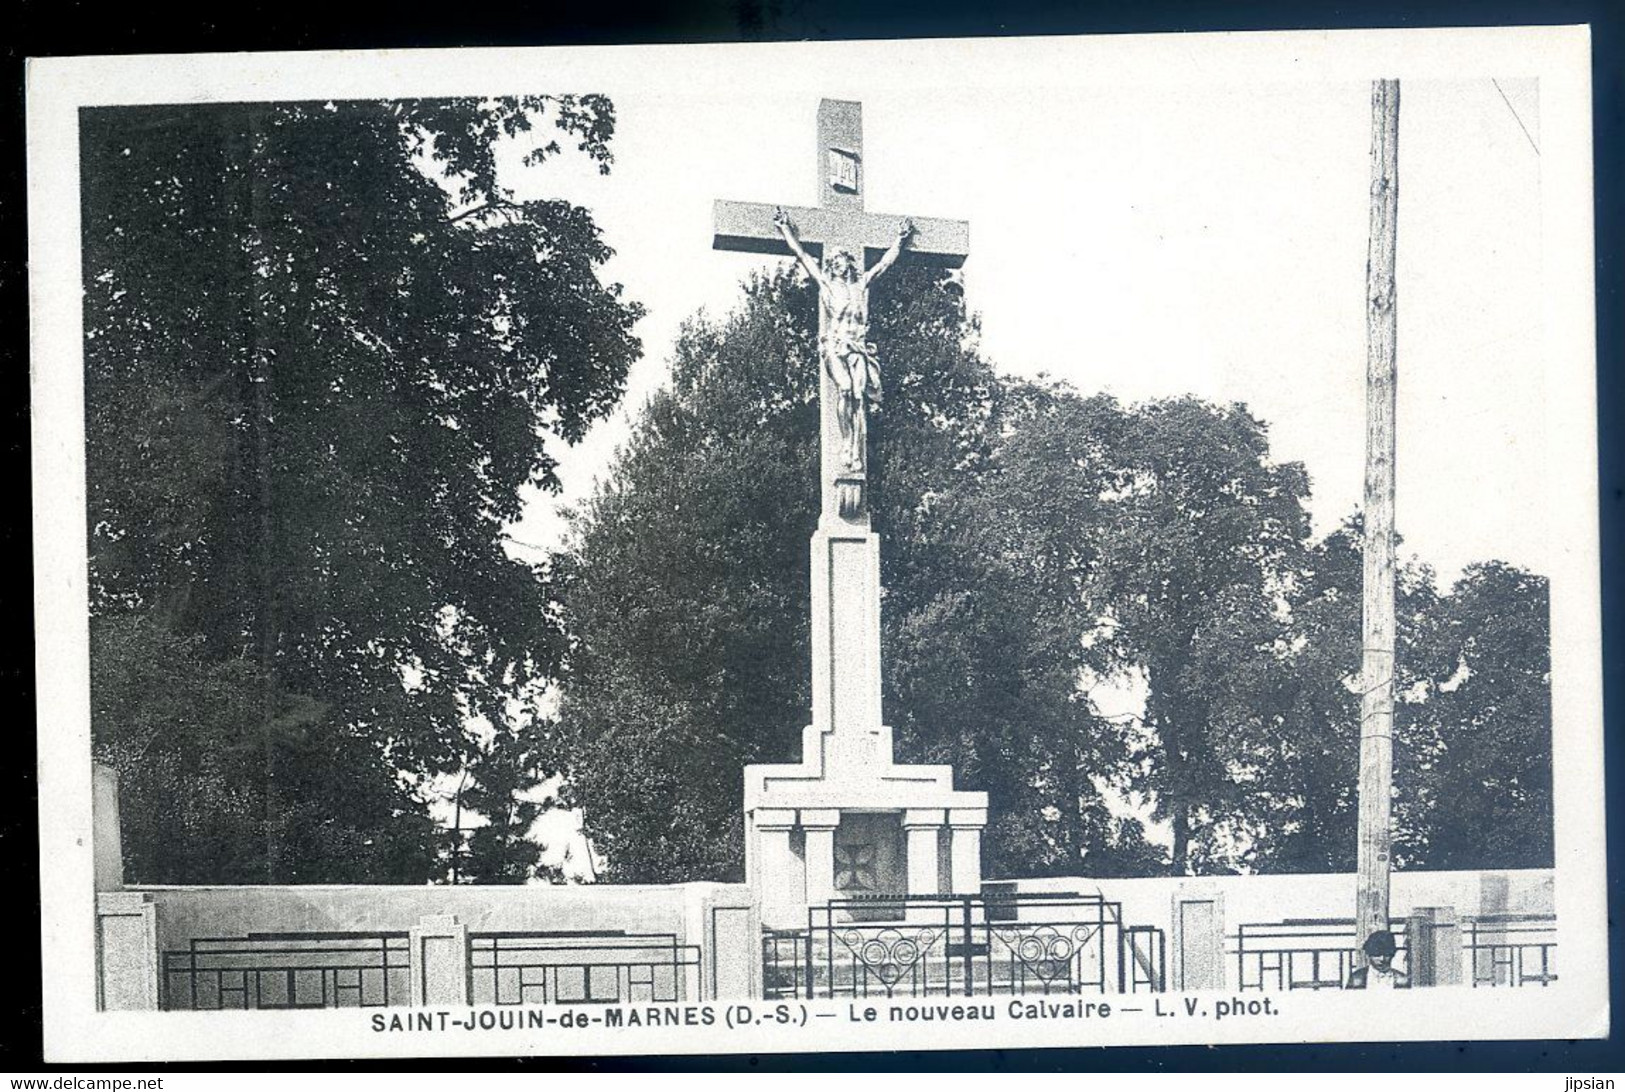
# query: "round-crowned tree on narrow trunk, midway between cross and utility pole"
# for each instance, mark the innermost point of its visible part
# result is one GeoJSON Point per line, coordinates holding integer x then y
{"type": "Point", "coordinates": [1202, 545]}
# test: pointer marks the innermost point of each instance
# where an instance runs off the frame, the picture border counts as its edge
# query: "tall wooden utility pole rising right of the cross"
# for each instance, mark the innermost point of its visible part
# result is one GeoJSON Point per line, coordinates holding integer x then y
{"type": "Point", "coordinates": [1377, 662]}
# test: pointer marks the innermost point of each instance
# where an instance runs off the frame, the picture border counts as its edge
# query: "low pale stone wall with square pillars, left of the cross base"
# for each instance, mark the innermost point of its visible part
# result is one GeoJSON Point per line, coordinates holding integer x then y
{"type": "Point", "coordinates": [721, 921]}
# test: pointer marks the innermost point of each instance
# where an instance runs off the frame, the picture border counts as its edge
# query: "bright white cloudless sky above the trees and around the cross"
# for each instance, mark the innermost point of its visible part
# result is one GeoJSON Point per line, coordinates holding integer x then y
{"type": "Point", "coordinates": [1148, 241]}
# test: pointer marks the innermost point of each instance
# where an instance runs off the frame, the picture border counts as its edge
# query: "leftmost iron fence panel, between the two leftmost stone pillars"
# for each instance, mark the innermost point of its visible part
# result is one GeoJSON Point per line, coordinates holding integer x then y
{"type": "Point", "coordinates": [288, 971]}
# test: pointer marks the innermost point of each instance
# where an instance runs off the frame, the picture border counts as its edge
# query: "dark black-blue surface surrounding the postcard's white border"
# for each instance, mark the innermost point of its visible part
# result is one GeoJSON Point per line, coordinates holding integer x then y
{"type": "Point", "coordinates": [43, 28]}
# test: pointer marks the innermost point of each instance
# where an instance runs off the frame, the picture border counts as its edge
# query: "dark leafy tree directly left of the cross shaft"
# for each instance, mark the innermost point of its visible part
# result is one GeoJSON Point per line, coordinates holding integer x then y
{"type": "Point", "coordinates": [680, 592]}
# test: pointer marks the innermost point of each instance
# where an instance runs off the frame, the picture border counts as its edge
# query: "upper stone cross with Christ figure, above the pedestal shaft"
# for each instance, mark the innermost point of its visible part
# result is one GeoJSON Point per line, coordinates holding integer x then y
{"type": "Point", "coordinates": [847, 240]}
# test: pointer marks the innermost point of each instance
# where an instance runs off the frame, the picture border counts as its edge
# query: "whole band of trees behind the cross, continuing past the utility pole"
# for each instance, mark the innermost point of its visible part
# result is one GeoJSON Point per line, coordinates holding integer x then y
{"type": "Point", "coordinates": [1039, 545]}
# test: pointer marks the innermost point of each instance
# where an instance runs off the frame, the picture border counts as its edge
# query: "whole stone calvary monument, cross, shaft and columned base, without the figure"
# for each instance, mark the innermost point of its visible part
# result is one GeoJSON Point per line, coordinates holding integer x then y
{"type": "Point", "coordinates": [895, 830]}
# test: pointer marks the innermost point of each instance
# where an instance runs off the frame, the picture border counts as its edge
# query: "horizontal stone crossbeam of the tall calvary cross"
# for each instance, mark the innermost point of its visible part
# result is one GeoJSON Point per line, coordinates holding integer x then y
{"type": "Point", "coordinates": [750, 227]}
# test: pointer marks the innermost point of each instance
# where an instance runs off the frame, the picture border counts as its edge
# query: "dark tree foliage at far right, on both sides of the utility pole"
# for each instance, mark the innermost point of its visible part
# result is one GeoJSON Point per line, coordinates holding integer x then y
{"type": "Point", "coordinates": [1473, 722]}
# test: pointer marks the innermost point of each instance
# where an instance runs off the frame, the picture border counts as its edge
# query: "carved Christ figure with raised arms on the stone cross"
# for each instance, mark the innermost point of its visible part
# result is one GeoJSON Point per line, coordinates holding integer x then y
{"type": "Point", "coordinates": [844, 342]}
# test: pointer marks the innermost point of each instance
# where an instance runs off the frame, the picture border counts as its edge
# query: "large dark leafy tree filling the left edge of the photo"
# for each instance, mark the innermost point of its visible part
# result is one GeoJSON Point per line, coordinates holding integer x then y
{"type": "Point", "coordinates": [324, 352]}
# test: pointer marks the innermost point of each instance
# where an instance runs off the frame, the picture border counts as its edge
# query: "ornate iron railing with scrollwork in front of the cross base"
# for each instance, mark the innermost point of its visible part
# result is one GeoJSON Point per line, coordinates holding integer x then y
{"type": "Point", "coordinates": [963, 945]}
